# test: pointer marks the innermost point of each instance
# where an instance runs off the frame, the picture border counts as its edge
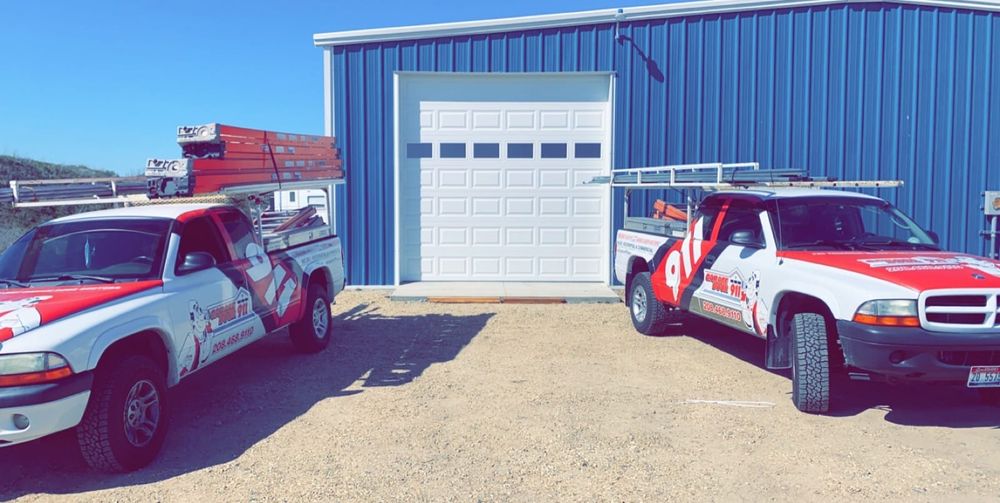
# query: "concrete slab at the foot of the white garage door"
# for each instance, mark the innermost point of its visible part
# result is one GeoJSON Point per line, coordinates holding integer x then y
{"type": "Point", "coordinates": [505, 293]}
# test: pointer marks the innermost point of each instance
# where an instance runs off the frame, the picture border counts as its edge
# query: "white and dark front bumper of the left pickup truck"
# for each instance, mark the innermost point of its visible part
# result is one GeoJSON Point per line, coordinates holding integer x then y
{"type": "Point", "coordinates": [50, 408]}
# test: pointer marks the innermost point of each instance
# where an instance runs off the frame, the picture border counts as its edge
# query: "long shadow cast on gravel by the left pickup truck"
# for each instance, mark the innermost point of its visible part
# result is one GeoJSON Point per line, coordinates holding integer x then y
{"type": "Point", "coordinates": [225, 409]}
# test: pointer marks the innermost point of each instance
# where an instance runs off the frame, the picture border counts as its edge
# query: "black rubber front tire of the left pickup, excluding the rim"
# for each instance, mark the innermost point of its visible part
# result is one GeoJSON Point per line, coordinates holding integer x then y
{"type": "Point", "coordinates": [101, 433]}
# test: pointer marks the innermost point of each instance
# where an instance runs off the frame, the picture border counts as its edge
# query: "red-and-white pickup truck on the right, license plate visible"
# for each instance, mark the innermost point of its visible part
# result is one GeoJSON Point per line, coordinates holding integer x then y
{"type": "Point", "coordinates": [834, 281]}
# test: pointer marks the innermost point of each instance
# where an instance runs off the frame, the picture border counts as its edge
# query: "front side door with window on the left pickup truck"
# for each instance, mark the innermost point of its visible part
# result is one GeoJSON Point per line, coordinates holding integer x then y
{"type": "Point", "coordinates": [211, 306]}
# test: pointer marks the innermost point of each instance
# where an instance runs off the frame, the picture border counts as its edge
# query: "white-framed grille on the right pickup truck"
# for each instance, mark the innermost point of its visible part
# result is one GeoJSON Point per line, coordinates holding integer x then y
{"type": "Point", "coordinates": [962, 310]}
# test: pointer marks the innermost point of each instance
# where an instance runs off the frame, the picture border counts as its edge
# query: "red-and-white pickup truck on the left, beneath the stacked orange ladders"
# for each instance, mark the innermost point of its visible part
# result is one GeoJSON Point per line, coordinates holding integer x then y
{"type": "Point", "coordinates": [101, 312]}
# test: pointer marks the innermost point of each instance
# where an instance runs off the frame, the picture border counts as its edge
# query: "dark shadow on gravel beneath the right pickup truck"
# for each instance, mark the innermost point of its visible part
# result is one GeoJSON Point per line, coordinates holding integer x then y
{"type": "Point", "coordinates": [905, 404]}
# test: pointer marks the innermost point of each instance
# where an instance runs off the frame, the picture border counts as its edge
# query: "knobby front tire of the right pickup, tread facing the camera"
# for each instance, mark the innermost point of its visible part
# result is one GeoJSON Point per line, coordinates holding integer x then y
{"type": "Point", "coordinates": [810, 363]}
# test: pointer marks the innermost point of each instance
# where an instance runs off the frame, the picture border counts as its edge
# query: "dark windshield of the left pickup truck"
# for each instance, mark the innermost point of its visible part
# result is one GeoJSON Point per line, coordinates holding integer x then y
{"type": "Point", "coordinates": [100, 250]}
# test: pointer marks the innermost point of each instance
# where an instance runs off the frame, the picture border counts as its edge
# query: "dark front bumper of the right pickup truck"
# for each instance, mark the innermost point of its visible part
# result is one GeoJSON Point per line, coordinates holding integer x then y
{"type": "Point", "coordinates": [914, 353]}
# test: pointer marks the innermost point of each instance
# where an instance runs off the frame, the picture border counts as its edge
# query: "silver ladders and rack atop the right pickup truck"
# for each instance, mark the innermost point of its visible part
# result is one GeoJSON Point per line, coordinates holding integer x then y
{"type": "Point", "coordinates": [717, 176]}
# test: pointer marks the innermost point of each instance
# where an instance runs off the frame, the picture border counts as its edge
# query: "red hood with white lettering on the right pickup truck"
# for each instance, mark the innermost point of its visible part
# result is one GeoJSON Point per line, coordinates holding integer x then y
{"type": "Point", "coordinates": [917, 270]}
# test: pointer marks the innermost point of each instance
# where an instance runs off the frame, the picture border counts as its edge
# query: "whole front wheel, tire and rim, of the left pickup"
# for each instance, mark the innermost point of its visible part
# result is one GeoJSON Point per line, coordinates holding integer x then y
{"type": "Point", "coordinates": [125, 421]}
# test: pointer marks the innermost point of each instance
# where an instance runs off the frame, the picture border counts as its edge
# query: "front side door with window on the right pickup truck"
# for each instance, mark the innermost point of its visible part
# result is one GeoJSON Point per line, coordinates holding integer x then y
{"type": "Point", "coordinates": [729, 291]}
